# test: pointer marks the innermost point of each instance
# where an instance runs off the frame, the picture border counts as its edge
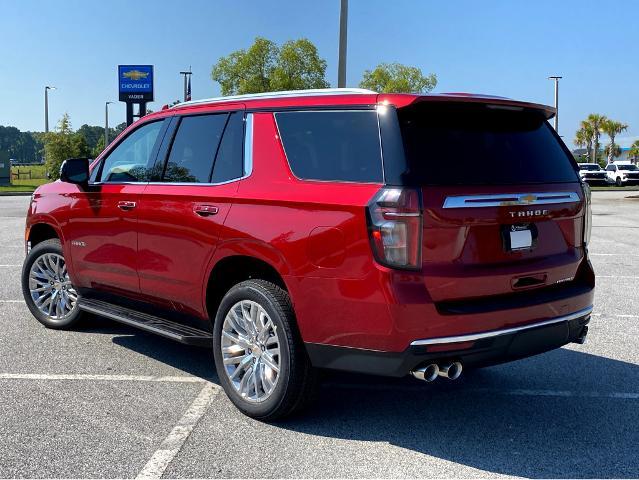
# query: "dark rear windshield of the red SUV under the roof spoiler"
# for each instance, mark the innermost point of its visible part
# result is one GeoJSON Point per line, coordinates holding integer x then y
{"type": "Point", "coordinates": [453, 144]}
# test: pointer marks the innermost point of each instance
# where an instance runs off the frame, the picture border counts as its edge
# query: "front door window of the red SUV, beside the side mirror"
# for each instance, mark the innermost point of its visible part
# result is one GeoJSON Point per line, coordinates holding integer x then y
{"type": "Point", "coordinates": [132, 159]}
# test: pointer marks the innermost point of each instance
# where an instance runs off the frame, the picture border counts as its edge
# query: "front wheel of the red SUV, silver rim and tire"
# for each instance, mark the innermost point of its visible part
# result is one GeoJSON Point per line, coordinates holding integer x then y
{"type": "Point", "coordinates": [46, 286]}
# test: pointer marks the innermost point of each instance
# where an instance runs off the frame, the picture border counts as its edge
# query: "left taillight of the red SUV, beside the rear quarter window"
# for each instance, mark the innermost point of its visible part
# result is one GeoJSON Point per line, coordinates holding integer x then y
{"type": "Point", "coordinates": [395, 227]}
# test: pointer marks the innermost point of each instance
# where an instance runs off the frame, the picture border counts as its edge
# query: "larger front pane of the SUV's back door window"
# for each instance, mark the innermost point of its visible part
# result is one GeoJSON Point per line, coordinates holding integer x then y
{"type": "Point", "coordinates": [194, 147]}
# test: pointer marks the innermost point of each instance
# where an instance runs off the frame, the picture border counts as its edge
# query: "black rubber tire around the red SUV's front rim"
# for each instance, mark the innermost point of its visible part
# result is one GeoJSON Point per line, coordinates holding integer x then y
{"type": "Point", "coordinates": [74, 316]}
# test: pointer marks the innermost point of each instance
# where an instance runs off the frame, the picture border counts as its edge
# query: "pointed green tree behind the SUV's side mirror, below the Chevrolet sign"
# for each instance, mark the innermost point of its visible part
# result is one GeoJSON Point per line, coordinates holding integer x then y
{"type": "Point", "coordinates": [61, 144]}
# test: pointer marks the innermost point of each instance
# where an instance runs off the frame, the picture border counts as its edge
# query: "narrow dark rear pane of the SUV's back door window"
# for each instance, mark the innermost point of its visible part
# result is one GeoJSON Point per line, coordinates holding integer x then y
{"type": "Point", "coordinates": [228, 163]}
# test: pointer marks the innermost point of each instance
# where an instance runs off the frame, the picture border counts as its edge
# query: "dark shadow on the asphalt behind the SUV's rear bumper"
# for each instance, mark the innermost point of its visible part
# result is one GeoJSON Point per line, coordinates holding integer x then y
{"type": "Point", "coordinates": [561, 414]}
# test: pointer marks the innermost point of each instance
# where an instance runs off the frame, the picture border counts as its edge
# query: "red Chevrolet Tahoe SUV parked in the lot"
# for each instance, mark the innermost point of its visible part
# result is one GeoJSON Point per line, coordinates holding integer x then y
{"type": "Point", "coordinates": [390, 234]}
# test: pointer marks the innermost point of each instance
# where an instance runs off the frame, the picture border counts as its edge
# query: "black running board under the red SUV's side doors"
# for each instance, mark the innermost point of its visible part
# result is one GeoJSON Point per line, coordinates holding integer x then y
{"type": "Point", "coordinates": [149, 323]}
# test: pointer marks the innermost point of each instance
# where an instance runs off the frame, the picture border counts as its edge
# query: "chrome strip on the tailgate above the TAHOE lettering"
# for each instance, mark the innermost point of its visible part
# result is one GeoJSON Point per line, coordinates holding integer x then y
{"type": "Point", "coordinates": [510, 199]}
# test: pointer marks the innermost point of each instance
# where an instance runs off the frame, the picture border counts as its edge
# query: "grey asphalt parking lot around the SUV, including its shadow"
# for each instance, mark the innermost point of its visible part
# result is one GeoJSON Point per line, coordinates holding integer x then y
{"type": "Point", "coordinates": [110, 401]}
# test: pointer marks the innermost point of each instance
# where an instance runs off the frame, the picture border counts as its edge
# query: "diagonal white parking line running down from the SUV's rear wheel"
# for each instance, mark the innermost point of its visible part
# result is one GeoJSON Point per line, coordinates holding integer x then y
{"type": "Point", "coordinates": [172, 444]}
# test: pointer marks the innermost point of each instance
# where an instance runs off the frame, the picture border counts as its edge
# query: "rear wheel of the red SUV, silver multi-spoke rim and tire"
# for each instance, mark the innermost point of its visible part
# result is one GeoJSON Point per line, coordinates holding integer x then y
{"type": "Point", "coordinates": [259, 356]}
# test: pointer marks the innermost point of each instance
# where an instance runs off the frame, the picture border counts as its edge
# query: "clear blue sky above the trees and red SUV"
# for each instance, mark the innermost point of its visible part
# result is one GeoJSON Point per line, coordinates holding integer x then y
{"type": "Point", "coordinates": [504, 47]}
